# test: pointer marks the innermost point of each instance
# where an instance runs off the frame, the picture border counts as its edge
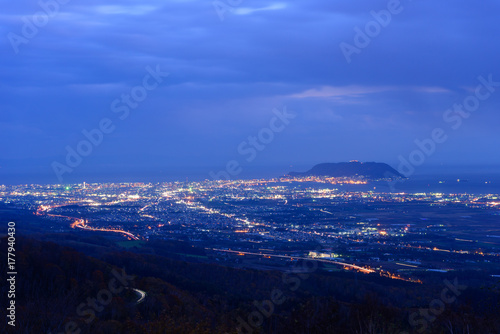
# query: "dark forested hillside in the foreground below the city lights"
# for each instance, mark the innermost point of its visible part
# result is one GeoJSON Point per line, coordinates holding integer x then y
{"type": "Point", "coordinates": [189, 297]}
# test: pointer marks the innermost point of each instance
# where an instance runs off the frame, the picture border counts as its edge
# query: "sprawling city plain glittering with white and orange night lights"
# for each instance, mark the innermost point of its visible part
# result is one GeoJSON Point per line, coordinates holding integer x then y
{"type": "Point", "coordinates": [270, 223]}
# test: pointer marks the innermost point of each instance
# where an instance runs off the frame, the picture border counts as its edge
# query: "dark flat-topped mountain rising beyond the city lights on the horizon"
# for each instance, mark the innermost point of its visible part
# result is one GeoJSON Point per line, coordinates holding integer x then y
{"type": "Point", "coordinates": [368, 170]}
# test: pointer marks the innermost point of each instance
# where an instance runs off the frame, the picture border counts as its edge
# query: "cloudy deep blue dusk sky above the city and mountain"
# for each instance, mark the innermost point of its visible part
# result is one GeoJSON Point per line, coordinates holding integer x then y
{"type": "Point", "coordinates": [229, 70]}
